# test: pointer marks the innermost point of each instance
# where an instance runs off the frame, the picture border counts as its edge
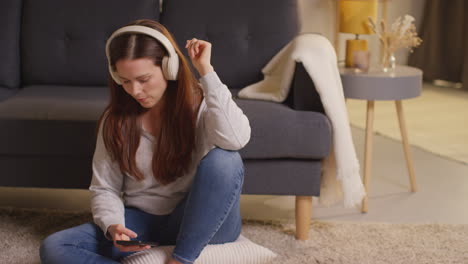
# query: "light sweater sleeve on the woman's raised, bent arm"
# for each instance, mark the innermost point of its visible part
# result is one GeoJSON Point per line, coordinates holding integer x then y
{"type": "Point", "coordinates": [226, 125]}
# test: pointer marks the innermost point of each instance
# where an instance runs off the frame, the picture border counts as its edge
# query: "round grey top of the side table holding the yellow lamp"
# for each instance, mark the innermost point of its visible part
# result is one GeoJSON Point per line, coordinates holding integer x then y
{"type": "Point", "coordinates": [403, 83]}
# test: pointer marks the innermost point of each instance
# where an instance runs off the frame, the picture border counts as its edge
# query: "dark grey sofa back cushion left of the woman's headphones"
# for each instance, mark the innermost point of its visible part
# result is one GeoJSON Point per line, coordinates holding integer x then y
{"type": "Point", "coordinates": [63, 41]}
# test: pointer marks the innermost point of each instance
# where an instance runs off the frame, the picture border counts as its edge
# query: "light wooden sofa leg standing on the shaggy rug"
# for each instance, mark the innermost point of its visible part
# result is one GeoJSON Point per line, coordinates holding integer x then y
{"type": "Point", "coordinates": [303, 216]}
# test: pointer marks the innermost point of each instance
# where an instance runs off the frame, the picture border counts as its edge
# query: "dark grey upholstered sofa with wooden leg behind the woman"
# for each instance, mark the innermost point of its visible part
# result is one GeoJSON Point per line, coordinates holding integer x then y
{"type": "Point", "coordinates": [53, 80]}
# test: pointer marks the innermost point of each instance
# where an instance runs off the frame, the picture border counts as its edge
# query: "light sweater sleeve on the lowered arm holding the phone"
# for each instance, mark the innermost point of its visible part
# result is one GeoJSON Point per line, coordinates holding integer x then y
{"type": "Point", "coordinates": [106, 185]}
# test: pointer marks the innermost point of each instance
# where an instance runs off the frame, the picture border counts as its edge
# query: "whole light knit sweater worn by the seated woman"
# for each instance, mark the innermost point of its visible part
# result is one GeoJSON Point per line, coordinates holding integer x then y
{"type": "Point", "coordinates": [220, 122]}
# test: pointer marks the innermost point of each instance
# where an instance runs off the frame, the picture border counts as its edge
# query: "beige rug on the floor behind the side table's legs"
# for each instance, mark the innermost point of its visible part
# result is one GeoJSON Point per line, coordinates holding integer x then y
{"type": "Point", "coordinates": [437, 121]}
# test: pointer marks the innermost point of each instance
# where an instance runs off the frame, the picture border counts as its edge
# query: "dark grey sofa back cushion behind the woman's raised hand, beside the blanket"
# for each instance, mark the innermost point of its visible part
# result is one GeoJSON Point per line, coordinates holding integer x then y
{"type": "Point", "coordinates": [245, 34]}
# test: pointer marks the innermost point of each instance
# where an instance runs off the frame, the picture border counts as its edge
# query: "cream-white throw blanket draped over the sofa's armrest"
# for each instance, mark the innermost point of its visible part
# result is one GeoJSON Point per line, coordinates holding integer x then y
{"type": "Point", "coordinates": [319, 59]}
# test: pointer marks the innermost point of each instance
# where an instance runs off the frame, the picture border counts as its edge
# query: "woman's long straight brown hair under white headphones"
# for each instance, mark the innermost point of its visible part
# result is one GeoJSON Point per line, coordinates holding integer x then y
{"type": "Point", "coordinates": [122, 128]}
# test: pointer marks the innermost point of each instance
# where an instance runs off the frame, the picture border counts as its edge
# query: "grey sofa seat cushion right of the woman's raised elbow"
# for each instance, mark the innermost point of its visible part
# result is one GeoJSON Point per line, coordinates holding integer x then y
{"type": "Point", "coordinates": [281, 132]}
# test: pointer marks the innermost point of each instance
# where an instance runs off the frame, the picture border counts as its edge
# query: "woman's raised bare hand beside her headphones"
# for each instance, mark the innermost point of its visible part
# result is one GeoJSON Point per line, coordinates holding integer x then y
{"type": "Point", "coordinates": [200, 54]}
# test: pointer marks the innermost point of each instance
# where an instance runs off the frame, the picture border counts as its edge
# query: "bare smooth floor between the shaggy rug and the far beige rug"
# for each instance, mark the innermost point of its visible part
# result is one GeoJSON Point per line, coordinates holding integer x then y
{"type": "Point", "coordinates": [442, 195]}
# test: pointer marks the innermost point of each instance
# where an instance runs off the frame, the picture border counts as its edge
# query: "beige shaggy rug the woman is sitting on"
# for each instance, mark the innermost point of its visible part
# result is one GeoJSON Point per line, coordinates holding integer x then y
{"type": "Point", "coordinates": [22, 230]}
